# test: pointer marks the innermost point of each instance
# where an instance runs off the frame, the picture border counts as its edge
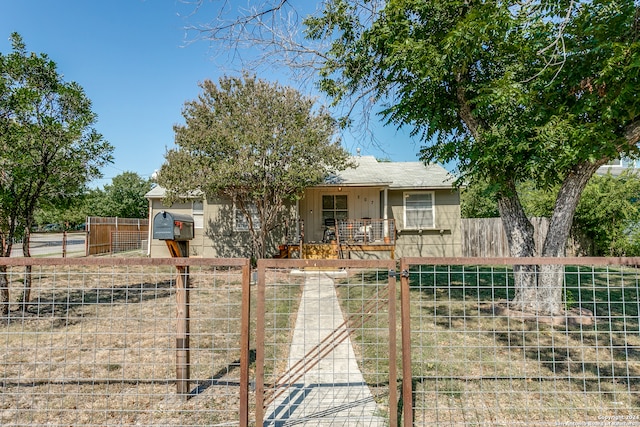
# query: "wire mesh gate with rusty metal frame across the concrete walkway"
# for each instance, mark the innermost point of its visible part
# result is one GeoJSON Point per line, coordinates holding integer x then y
{"type": "Point", "coordinates": [326, 343]}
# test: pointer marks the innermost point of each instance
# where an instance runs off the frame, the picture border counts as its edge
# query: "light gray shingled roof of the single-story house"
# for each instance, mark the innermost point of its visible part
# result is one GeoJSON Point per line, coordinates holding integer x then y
{"type": "Point", "coordinates": [400, 175]}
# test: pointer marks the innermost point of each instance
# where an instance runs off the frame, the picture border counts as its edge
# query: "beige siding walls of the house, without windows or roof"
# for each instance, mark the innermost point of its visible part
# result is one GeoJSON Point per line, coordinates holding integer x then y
{"type": "Point", "coordinates": [218, 239]}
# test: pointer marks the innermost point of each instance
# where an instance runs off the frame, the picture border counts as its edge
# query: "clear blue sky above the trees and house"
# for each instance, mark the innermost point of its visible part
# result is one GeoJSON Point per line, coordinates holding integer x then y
{"type": "Point", "coordinates": [135, 62]}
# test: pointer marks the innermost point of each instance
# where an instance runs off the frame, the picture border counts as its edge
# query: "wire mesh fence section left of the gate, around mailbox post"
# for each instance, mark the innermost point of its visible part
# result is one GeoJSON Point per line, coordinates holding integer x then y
{"type": "Point", "coordinates": [96, 345]}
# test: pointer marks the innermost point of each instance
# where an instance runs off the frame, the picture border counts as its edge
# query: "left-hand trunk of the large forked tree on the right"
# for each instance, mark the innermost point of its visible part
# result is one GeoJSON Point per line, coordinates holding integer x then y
{"type": "Point", "coordinates": [521, 243]}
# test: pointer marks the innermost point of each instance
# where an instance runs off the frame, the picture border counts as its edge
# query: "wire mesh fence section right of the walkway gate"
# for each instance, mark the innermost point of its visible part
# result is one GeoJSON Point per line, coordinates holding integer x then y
{"type": "Point", "coordinates": [478, 362]}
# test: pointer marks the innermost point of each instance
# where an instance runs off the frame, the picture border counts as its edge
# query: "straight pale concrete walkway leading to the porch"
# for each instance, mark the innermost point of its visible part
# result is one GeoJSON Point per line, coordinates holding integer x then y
{"type": "Point", "coordinates": [332, 391]}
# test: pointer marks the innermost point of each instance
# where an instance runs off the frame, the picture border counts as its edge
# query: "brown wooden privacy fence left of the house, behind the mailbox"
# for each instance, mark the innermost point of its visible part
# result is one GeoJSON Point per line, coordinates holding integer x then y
{"type": "Point", "coordinates": [112, 234]}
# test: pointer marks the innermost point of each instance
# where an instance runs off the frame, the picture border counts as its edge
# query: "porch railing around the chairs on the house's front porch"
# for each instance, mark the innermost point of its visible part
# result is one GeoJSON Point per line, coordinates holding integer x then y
{"type": "Point", "coordinates": [367, 231]}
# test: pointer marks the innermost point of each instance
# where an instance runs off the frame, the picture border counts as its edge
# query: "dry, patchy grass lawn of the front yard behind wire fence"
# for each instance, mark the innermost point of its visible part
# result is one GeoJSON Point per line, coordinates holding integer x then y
{"type": "Point", "coordinates": [96, 347]}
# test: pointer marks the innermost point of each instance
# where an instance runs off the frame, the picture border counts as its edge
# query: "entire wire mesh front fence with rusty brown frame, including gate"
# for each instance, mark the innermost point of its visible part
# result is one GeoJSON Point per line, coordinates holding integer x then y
{"type": "Point", "coordinates": [99, 343]}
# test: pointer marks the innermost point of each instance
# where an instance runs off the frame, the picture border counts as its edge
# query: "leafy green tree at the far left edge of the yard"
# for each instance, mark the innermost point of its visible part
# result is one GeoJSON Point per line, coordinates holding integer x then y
{"type": "Point", "coordinates": [49, 149]}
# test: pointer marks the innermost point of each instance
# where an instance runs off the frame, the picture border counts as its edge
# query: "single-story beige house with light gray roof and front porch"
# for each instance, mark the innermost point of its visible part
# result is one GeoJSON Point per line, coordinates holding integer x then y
{"type": "Point", "coordinates": [376, 209]}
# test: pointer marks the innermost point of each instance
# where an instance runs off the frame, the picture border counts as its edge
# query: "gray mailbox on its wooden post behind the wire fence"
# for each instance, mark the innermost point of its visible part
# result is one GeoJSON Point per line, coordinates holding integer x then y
{"type": "Point", "coordinates": [176, 230]}
